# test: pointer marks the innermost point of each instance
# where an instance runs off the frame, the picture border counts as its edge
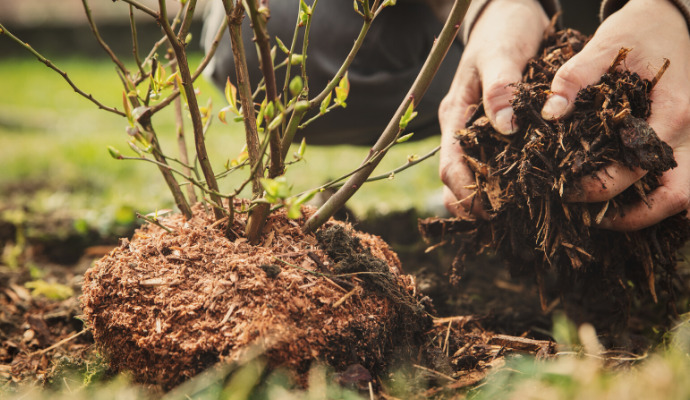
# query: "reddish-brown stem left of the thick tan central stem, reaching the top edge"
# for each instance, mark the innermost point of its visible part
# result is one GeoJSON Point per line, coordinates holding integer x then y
{"type": "Point", "coordinates": [188, 86]}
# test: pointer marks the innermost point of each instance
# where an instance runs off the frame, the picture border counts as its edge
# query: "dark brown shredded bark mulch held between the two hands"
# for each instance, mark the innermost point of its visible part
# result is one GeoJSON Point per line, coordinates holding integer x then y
{"type": "Point", "coordinates": [521, 179]}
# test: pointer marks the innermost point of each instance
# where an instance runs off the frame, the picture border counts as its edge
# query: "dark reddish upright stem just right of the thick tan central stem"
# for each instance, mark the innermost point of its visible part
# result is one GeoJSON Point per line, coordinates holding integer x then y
{"type": "Point", "coordinates": [261, 38]}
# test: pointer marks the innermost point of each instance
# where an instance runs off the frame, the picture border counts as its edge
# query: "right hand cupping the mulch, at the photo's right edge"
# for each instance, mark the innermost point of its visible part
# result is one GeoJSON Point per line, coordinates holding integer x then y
{"type": "Point", "coordinates": [654, 30]}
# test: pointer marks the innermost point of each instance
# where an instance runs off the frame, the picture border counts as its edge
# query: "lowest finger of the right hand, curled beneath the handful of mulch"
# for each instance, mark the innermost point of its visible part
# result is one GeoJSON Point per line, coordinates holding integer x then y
{"type": "Point", "coordinates": [672, 197]}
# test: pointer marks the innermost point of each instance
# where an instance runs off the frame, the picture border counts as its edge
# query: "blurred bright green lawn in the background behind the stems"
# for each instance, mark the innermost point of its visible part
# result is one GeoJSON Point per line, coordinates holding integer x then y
{"type": "Point", "coordinates": [51, 135]}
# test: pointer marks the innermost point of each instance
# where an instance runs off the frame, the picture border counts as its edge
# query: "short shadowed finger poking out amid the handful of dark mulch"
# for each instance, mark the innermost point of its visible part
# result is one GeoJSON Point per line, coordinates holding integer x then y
{"type": "Point", "coordinates": [604, 184]}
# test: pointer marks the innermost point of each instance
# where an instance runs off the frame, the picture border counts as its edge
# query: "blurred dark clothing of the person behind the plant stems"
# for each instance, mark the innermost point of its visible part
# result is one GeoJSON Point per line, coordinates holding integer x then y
{"type": "Point", "coordinates": [392, 54]}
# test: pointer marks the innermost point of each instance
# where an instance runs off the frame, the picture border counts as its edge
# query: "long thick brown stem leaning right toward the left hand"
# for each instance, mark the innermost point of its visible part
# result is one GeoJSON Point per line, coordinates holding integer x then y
{"type": "Point", "coordinates": [419, 87]}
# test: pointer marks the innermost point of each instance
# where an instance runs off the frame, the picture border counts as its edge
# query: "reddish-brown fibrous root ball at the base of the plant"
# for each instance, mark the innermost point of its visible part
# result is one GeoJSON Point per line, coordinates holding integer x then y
{"type": "Point", "coordinates": [167, 305]}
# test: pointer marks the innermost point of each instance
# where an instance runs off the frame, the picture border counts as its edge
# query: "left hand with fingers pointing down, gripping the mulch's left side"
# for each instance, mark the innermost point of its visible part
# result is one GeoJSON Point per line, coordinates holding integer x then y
{"type": "Point", "coordinates": [505, 36]}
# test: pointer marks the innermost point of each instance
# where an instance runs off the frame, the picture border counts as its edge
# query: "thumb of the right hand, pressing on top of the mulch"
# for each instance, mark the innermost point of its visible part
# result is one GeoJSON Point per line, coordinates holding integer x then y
{"type": "Point", "coordinates": [585, 68]}
